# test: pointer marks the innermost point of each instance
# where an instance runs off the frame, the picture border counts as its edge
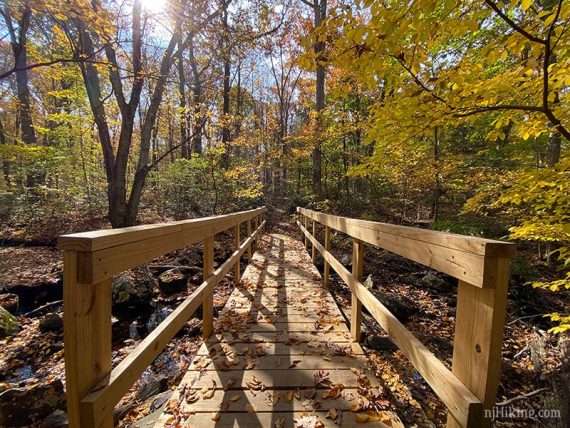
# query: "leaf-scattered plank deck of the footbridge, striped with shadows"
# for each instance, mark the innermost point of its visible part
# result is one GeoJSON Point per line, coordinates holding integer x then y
{"type": "Point", "coordinates": [280, 352]}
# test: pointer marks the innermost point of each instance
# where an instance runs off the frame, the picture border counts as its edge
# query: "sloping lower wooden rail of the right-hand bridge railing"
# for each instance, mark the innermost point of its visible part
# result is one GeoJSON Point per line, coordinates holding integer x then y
{"type": "Point", "coordinates": [460, 401]}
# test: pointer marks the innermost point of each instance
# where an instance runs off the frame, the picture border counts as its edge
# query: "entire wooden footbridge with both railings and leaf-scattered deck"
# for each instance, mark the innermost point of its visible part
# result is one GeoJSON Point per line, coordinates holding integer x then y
{"type": "Point", "coordinates": [280, 353]}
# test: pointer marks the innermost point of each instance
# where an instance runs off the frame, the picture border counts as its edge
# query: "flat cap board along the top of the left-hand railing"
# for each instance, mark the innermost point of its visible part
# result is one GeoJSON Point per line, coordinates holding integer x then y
{"type": "Point", "coordinates": [101, 239]}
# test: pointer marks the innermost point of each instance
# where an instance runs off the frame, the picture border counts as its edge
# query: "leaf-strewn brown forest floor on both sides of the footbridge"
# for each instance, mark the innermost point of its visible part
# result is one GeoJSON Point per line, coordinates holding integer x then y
{"type": "Point", "coordinates": [534, 371]}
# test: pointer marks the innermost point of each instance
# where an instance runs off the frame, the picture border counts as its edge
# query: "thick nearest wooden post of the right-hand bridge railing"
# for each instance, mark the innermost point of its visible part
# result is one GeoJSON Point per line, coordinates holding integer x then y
{"type": "Point", "coordinates": [479, 323]}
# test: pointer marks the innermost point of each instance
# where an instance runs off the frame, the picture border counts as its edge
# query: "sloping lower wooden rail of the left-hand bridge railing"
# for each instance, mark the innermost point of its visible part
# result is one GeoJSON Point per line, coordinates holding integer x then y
{"type": "Point", "coordinates": [99, 403]}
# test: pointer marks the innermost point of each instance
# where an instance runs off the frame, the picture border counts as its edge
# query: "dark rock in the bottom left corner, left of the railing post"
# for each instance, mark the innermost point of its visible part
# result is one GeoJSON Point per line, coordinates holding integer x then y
{"type": "Point", "coordinates": [24, 406]}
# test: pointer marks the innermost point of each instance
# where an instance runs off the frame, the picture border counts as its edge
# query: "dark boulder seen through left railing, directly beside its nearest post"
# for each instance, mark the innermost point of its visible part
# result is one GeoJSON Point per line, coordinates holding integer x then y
{"type": "Point", "coordinates": [133, 288]}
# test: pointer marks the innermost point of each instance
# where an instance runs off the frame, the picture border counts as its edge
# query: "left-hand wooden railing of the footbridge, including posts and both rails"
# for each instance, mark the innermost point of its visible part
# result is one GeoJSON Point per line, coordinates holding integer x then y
{"type": "Point", "coordinates": [90, 261]}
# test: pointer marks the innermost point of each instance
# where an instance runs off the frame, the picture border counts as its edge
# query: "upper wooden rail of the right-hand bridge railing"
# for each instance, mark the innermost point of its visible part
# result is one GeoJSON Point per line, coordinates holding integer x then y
{"type": "Point", "coordinates": [460, 256]}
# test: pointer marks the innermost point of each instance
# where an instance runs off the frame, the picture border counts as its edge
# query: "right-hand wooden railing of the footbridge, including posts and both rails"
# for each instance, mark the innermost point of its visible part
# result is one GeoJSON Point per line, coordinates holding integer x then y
{"type": "Point", "coordinates": [482, 268]}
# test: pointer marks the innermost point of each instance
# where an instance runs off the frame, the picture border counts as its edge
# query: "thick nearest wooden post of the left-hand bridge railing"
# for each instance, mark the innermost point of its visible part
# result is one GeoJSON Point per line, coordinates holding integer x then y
{"type": "Point", "coordinates": [87, 338]}
